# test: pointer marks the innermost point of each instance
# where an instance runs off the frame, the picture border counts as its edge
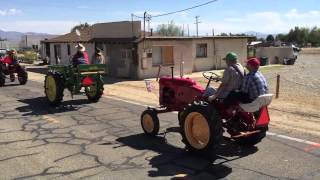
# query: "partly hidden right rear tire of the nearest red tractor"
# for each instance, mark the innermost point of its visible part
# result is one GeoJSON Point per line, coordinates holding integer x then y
{"type": "Point", "coordinates": [252, 139]}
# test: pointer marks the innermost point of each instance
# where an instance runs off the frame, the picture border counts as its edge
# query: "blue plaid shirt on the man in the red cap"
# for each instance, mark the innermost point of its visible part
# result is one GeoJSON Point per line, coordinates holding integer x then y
{"type": "Point", "coordinates": [254, 84]}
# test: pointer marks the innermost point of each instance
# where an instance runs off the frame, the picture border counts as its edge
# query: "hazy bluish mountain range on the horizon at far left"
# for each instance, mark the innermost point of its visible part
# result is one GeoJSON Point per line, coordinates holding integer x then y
{"type": "Point", "coordinates": [18, 39]}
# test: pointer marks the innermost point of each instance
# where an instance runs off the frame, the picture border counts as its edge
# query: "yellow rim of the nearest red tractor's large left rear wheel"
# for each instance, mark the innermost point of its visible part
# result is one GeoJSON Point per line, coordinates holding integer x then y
{"type": "Point", "coordinates": [197, 130]}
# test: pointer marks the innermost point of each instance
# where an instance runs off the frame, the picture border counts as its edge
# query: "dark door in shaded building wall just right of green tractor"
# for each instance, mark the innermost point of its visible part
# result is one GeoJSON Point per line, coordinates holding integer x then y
{"type": "Point", "coordinates": [124, 63]}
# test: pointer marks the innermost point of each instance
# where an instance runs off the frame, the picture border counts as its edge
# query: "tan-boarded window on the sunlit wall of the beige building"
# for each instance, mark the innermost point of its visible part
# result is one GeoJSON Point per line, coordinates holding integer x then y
{"type": "Point", "coordinates": [162, 55]}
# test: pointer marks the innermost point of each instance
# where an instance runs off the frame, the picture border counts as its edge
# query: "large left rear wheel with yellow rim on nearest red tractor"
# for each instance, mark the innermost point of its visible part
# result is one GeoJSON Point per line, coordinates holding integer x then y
{"type": "Point", "coordinates": [201, 128]}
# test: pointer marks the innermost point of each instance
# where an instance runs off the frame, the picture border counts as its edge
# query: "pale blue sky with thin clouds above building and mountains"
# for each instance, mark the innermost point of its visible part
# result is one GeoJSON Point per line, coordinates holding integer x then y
{"type": "Point", "coordinates": [58, 16]}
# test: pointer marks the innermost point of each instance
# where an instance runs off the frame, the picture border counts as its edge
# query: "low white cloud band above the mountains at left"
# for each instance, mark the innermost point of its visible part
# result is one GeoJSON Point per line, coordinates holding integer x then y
{"type": "Point", "coordinates": [52, 27]}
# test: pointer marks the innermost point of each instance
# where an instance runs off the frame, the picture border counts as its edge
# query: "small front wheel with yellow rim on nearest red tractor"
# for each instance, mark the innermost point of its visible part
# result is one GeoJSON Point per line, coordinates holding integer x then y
{"type": "Point", "coordinates": [150, 122]}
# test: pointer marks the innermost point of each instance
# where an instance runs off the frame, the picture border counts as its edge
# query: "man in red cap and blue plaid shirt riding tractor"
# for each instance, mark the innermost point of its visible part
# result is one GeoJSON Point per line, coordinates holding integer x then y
{"type": "Point", "coordinates": [254, 85]}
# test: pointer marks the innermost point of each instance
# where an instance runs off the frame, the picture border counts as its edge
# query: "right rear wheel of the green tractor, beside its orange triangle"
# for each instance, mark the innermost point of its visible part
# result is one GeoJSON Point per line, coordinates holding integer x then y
{"type": "Point", "coordinates": [95, 91]}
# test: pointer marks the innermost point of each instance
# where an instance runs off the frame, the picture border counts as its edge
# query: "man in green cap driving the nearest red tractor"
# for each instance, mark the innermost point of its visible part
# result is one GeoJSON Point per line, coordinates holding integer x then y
{"type": "Point", "coordinates": [232, 77]}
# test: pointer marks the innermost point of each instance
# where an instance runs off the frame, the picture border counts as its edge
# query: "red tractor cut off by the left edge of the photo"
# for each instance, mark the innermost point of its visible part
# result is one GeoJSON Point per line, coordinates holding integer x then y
{"type": "Point", "coordinates": [10, 70]}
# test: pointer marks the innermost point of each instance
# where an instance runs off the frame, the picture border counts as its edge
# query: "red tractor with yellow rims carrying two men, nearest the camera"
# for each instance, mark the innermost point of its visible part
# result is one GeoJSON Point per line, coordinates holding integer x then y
{"type": "Point", "coordinates": [202, 123]}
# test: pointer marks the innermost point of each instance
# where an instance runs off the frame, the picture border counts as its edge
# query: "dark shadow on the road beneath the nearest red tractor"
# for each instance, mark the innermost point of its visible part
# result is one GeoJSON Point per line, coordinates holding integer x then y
{"type": "Point", "coordinates": [174, 160]}
